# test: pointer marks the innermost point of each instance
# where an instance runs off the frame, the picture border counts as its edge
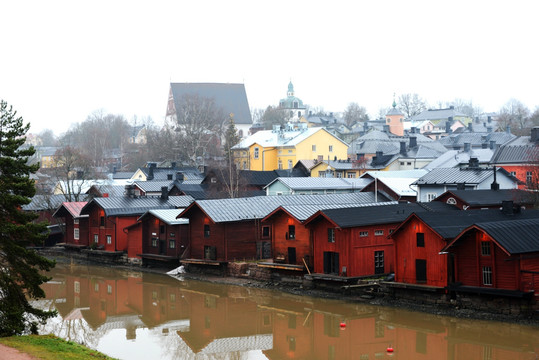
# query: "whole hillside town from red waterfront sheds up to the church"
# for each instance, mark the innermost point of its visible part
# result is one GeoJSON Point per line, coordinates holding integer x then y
{"type": "Point", "coordinates": [435, 205]}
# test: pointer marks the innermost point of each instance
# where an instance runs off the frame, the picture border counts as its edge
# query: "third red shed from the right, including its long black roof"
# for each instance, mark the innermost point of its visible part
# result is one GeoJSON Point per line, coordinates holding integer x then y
{"type": "Point", "coordinates": [353, 242]}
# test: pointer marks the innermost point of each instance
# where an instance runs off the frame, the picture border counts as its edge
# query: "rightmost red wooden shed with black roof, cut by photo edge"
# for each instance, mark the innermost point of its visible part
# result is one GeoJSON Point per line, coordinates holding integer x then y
{"type": "Point", "coordinates": [497, 258]}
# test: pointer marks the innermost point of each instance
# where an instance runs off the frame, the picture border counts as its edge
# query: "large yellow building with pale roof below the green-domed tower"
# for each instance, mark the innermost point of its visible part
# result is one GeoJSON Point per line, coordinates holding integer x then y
{"type": "Point", "coordinates": [280, 149]}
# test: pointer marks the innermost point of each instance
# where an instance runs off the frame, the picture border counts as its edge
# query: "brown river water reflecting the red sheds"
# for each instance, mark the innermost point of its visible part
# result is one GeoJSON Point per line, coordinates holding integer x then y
{"type": "Point", "coordinates": [134, 315]}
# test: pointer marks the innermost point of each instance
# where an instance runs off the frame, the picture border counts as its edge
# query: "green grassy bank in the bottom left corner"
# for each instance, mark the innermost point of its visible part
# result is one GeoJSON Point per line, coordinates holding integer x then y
{"type": "Point", "coordinates": [49, 347]}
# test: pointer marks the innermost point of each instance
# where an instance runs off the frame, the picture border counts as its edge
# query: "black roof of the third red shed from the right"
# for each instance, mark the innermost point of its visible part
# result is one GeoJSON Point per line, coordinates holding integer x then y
{"type": "Point", "coordinates": [372, 215]}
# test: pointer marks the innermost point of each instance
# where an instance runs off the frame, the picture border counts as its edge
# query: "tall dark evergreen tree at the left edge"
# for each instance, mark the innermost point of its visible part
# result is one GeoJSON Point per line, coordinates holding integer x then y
{"type": "Point", "coordinates": [20, 267]}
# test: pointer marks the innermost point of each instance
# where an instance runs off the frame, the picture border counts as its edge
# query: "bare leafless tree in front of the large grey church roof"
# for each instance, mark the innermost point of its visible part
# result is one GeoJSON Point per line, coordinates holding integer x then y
{"type": "Point", "coordinates": [199, 126]}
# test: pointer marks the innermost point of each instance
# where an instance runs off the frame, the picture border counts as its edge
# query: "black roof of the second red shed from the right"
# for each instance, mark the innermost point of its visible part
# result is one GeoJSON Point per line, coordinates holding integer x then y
{"type": "Point", "coordinates": [449, 225]}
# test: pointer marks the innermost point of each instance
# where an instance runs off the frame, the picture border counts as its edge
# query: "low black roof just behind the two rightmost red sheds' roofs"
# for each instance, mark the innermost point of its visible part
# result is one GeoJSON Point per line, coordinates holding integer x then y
{"type": "Point", "coordinates": [489, 197]}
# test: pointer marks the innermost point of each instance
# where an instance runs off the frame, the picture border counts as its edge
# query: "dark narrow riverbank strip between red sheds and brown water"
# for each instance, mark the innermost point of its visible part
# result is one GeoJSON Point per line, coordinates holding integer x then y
{"type": "Point", "coordinates": [377, 297]}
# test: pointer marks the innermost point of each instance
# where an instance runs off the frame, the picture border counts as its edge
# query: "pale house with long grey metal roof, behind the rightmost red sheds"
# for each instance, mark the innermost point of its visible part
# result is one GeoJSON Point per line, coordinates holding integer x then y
{"type": "Point", "coordinates": [440, 180]}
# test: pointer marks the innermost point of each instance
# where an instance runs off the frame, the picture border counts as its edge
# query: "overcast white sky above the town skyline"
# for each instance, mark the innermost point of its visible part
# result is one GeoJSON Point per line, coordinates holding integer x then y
{"type": "Point", "coordinates": [62, 60]}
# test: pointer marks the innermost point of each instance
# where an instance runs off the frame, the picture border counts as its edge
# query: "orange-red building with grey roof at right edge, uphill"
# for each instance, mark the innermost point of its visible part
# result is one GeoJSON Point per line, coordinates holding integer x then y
{"type": "Point", "coordinates": [520, 157]}
